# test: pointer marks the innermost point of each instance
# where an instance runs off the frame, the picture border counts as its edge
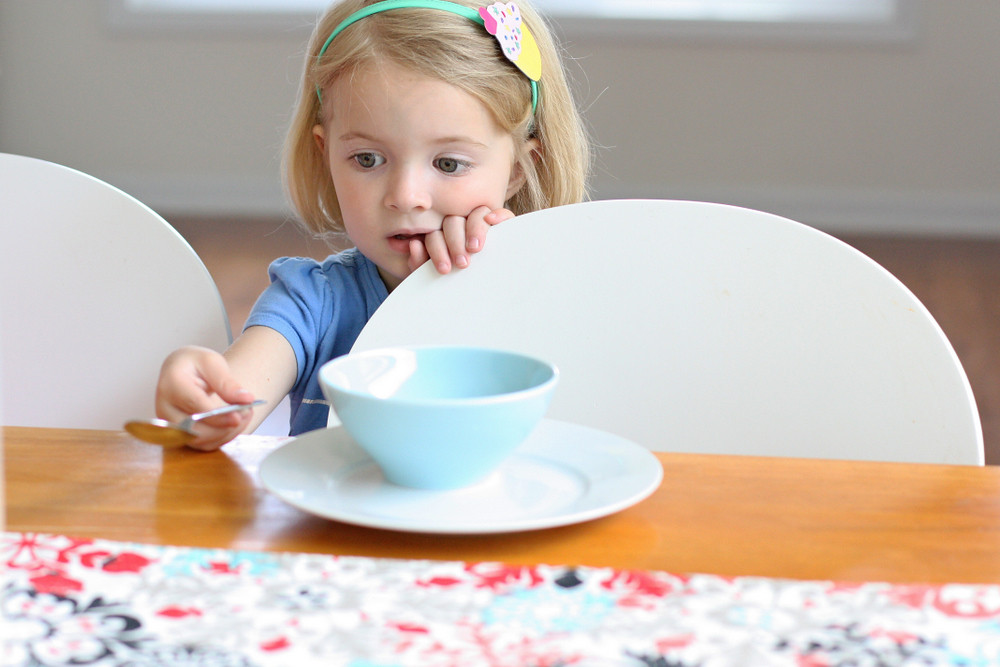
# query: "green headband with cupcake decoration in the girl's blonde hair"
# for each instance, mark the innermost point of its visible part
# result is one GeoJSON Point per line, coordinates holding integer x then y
{"type": "Point", "coordinates": [499, 19]}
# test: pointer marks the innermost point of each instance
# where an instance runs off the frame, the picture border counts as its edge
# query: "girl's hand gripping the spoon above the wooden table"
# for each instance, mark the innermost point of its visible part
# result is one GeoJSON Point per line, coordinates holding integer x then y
{"type": "Point", "coordinates": [197, 379]}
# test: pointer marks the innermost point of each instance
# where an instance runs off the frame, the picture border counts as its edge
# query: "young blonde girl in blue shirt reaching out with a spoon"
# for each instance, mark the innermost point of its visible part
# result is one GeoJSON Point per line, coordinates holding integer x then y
{"type": "Point", "coordinates": [420, 123]}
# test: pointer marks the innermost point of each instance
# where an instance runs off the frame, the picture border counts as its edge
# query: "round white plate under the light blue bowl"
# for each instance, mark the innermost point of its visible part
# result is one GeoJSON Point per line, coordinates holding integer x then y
{"type": "Point", "coordinates": [562, 474]}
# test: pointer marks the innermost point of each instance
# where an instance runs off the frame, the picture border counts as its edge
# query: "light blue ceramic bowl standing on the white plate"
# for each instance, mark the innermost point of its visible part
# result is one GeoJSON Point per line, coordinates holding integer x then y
{"type": "Point", "coordinates": [438, 417]}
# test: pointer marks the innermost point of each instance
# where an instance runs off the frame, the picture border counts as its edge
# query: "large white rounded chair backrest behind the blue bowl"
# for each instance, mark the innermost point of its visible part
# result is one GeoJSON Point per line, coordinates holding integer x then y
{"type": "Point", "coordinates": [697, 327]}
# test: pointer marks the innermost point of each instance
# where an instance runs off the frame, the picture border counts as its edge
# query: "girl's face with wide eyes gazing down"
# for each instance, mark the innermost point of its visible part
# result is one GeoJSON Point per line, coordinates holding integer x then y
{"type": "Point", "coordinates": [404, 151]}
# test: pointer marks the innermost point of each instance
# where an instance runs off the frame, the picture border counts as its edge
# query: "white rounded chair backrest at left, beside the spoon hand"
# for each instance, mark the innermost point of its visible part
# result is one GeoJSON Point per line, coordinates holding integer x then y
{"type": "Point", "coordinates": [95, 290]}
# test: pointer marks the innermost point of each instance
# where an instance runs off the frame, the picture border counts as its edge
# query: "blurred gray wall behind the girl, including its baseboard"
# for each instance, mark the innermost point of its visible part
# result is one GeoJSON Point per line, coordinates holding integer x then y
{"type": "Point", "coordinates": [898, 136]}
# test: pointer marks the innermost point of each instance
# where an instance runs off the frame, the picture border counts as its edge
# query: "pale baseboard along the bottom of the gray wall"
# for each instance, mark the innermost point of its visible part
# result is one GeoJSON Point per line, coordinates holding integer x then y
{"type": "Point", "coordinates": [837, 211]}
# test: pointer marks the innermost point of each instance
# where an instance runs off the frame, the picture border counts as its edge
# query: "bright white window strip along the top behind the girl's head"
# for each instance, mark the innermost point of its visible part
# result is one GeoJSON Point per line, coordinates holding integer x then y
{"type": "Point", "coordinates": [774, 21]}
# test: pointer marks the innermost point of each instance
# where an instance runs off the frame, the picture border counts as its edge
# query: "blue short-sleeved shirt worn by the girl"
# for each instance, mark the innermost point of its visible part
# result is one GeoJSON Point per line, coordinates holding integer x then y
{"type": "Point", "coordinates": [320, 309]}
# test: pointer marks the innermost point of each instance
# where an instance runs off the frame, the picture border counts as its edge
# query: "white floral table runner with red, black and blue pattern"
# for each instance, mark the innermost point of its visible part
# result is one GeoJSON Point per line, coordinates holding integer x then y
{"type": "Point", "coordinates": [67, 601]}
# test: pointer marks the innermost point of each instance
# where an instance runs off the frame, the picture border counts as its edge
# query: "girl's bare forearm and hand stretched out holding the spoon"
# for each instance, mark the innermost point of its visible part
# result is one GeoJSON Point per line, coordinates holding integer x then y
{"type": "Point", "coordinates": [259, 364]}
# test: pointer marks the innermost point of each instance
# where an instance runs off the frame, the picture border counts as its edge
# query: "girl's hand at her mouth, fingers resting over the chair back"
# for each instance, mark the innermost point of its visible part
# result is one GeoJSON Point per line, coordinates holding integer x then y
{"type": "Point", "coordinates": [458, 239]}
